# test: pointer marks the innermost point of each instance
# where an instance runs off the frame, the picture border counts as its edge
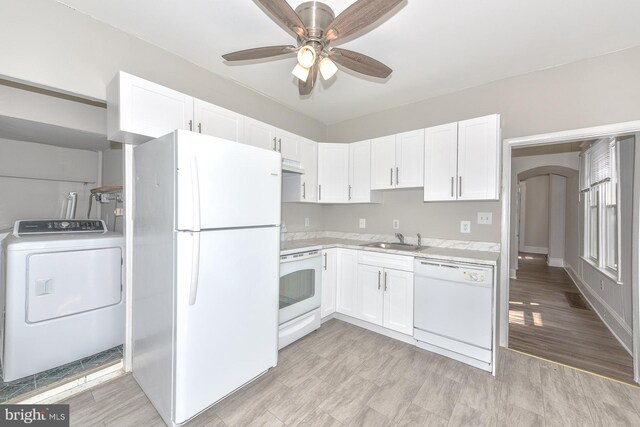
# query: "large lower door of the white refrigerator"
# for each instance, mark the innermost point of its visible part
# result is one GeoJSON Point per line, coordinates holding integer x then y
{"type": "Point", "coordinates": [227, 327]}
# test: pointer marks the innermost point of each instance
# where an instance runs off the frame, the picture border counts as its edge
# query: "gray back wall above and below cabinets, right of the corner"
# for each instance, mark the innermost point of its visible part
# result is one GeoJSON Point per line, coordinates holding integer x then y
{"type": "Point", "coordinates": [588, 93]}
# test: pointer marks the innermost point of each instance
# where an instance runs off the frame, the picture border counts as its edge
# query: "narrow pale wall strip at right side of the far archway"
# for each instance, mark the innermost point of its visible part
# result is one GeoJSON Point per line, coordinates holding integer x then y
{"type": "Point", "coordinates": [557, 216]}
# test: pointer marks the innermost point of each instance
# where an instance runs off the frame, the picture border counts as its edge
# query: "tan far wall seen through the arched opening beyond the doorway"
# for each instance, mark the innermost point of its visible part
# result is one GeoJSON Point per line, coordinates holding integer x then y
{"type": "Point", "coordinates": [536, 224]}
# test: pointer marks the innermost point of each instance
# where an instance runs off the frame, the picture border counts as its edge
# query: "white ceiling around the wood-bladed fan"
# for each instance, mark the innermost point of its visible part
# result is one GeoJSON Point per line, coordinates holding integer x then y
{"type": "Point", "coordinates": [434, 46]}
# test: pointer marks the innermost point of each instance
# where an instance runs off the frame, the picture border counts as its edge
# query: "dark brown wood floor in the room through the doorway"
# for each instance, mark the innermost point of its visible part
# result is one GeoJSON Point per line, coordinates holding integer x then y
{"type": "Point", "coordinates": [544, 324]}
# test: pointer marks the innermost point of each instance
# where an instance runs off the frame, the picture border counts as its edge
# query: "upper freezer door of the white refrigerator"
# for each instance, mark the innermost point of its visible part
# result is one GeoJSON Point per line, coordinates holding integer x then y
{"type": "Point", "coordinates": [224, 184]}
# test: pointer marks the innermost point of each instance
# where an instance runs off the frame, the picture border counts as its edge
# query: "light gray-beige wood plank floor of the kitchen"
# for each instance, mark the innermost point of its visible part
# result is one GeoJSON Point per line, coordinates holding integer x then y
{"type": "Point", "coordinates": [345, 375]}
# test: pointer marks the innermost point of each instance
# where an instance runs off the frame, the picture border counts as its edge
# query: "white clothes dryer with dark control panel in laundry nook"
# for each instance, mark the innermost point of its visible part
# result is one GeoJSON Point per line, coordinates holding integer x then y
{"type": "Point", "coordinates": [61, 290]}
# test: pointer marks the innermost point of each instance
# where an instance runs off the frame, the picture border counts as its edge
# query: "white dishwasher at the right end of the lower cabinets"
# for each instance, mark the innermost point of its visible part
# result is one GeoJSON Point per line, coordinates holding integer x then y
{"type": "Point", "coordinates": [453, 310]}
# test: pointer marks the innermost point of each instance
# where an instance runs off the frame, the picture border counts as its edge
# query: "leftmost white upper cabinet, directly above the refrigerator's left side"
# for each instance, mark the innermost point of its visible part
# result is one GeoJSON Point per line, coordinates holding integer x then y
{"type": "Point", "coordinates": [139, 110]}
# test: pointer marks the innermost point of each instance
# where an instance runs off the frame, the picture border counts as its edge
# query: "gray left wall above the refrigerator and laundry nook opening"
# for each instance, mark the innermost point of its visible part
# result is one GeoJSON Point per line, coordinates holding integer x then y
{"type": "Point", "coordinates": [49, 44]}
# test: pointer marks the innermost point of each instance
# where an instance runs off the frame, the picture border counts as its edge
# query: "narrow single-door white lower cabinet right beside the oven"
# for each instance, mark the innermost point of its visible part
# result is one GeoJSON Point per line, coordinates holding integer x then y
{"type": "Point", "coordinates": [347, 274]}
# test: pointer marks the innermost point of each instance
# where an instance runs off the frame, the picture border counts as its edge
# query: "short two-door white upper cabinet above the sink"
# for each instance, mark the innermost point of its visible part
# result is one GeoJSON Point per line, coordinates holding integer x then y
{"type": "Point", "coordinates": [397, 161]}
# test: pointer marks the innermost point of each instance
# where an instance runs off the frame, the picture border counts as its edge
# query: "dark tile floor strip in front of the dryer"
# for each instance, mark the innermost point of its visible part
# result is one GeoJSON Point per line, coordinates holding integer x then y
{"type": "Point", "coordinates": [13, 389]}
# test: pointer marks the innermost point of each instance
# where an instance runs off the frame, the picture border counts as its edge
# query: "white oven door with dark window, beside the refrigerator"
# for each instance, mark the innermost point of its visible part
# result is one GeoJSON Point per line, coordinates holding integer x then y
{"type": "Point", "coordinates": [300, 281]}
